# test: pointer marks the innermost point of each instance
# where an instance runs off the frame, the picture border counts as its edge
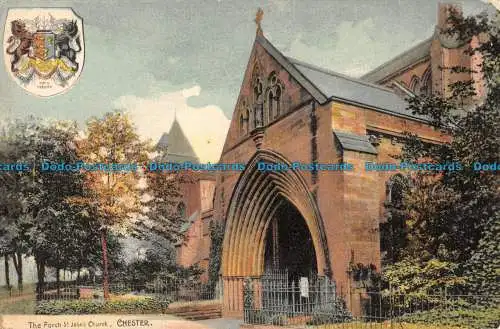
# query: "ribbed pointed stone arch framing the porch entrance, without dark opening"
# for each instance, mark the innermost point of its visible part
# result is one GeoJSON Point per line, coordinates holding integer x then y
{"type": "Point", "coordinates": [256, 198]}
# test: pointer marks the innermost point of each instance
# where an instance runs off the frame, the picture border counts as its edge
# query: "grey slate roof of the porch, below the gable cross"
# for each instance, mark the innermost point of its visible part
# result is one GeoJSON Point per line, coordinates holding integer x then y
{"type": "Point", "coordinates": [325, 85]}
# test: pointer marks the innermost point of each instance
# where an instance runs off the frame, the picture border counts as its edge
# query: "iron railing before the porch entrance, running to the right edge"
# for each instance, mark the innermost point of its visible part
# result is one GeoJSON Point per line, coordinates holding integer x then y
{"type": "Point", "coordinates": [374, 310]}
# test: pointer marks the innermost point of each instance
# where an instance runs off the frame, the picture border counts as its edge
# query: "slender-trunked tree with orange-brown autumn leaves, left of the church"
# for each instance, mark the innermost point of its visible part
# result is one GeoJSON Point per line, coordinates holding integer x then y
{"type": "Point", "coordinates": [112, 195]}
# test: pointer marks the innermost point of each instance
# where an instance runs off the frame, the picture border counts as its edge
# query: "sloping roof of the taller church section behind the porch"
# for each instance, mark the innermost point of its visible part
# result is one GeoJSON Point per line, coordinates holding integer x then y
{"type": "Point", "coordinates": [400, 62]}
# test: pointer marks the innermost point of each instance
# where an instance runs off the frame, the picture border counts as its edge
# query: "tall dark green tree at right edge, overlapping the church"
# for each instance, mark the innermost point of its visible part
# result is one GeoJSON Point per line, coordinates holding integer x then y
{"type": "Point", "coordinates": [452, 216]}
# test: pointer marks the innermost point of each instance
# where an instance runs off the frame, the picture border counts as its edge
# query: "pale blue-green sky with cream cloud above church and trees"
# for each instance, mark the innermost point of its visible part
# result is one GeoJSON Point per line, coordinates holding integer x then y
{"type": "Point", "coordinates": [156, 57]}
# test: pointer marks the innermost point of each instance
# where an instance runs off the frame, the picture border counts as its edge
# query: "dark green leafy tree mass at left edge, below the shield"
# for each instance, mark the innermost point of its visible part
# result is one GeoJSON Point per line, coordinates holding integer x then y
{"type": "Point", "coordinates": [37, 219]}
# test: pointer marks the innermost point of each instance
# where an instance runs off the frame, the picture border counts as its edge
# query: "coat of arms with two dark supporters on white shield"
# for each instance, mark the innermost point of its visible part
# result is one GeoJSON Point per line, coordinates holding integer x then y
{"type": "Point", "coordinates": [44, 49]}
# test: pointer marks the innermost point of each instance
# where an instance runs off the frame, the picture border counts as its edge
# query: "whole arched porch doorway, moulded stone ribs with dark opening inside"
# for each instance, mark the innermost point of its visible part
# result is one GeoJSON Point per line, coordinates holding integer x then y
{"type": "Point", "coordinates": [260, 201]}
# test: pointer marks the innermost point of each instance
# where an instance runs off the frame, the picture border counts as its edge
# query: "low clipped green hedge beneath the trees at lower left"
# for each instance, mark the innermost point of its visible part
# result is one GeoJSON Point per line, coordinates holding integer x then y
{"type": "Point", "coordinates": [131, 306]}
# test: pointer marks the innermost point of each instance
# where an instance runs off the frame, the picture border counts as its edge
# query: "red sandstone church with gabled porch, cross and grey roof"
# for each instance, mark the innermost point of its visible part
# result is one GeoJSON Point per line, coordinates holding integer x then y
{"type": "Point", "coordinates": [288, 111]}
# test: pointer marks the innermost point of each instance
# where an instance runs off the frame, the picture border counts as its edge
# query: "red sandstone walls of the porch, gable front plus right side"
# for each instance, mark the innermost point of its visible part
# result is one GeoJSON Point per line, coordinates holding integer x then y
{"type": "Point", "coordinates": [351, 203]}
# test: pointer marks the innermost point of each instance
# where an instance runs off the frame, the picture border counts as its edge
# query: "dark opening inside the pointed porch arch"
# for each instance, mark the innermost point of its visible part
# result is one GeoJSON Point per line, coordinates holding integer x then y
{"type": "Point", "coordinates": [289, 244]}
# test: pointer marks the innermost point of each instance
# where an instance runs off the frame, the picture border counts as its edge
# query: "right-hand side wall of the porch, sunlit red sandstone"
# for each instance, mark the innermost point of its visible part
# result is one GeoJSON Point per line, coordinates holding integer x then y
{"type": "Point", "coordinates": [360, 195]}
